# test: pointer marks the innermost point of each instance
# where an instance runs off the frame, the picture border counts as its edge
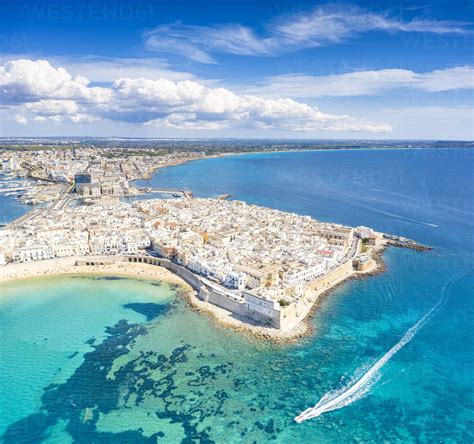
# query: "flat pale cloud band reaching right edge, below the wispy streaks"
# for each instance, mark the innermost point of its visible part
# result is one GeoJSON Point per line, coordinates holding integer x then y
{"type": "Point", "coordinates": [361, 83]}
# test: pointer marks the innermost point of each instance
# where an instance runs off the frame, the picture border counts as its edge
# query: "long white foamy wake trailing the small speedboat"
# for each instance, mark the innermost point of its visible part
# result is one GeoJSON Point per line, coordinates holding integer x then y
{"type": "Point", "coordinates": [359, 385]}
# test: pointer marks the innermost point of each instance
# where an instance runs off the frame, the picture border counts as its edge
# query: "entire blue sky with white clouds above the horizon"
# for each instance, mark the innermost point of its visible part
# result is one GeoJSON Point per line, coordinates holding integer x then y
{"type": "Point", "coordinates": [250, 69]}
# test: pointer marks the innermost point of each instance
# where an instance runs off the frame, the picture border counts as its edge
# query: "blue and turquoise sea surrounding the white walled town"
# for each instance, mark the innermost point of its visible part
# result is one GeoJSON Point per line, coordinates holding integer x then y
{"type": "Point", "coordinates": [121, 360]}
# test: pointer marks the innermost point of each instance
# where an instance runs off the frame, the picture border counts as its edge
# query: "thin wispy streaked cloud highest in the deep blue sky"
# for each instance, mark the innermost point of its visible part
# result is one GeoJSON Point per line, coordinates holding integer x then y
{"type": "Point", "coordinates": [324, 25]}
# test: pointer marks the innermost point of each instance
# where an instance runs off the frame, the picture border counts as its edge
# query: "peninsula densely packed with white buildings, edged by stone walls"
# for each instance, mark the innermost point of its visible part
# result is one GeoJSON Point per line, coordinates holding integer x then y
{"type": "Point", "coordinates": [254, 268]}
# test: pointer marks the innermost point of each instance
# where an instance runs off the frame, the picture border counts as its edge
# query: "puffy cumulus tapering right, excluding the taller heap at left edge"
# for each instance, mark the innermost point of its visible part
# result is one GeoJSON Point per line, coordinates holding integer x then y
{"type": "Point", "coordinates": [188, 104]}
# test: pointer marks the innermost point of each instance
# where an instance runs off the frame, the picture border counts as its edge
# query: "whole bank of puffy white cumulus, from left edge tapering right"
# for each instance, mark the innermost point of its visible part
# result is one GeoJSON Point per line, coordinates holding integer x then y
{"type": "Point", "coordinates": [38, 91]}
